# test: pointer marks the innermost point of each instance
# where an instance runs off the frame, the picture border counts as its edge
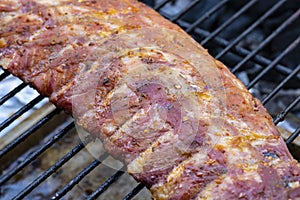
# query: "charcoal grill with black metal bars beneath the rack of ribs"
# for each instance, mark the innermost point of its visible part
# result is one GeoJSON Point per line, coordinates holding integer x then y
{"type": "Point", "coordinates": [270, 74]}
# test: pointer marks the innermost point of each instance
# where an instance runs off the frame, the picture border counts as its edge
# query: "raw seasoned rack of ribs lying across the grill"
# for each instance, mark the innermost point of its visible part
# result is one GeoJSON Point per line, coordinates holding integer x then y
{"type": "Point", "coordinates": [181, 122]}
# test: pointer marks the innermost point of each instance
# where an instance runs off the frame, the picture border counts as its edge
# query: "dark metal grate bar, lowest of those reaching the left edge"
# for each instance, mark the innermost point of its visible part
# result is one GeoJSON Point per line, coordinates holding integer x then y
{"type": "Point", "coordinates": [35, 154]}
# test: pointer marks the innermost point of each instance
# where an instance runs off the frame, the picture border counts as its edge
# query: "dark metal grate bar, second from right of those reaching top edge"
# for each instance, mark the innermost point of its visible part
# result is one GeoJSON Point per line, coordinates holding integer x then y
{"type": "Point", "coordinates": [229, 21]}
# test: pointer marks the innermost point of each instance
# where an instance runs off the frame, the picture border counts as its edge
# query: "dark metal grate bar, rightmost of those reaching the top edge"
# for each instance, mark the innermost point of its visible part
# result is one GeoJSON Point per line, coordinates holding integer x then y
{"type": "Point", "coordinates": [250, 28]}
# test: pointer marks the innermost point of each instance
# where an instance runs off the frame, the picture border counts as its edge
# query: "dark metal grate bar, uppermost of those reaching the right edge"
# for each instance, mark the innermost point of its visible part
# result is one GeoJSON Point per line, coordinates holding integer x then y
{"type": "Point", "coordinates": [285, 24]}
